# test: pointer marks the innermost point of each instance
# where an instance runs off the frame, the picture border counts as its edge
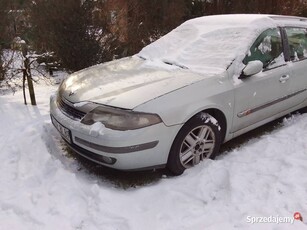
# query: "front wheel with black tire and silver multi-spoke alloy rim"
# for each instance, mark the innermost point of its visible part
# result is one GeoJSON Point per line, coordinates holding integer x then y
{"type": "Point", "coordinates": [198, 139]}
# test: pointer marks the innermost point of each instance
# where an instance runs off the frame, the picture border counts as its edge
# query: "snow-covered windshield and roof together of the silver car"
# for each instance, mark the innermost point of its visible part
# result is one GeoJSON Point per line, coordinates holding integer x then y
{"type": "Point", "coordinates": [211, 43]}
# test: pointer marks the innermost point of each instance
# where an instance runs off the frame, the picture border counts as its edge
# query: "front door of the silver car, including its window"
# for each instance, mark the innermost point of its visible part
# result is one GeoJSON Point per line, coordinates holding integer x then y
{"type": "Point", "coordinates": [263, 95]}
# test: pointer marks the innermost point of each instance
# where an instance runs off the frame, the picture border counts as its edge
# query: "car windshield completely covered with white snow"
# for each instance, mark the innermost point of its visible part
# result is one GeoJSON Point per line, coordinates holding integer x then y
{"type": "Point", "coordinates": [201, 47]}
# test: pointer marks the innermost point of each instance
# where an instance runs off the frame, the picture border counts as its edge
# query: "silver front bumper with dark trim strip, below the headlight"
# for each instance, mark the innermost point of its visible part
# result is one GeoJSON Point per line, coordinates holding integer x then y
{"type": "Point", "coordinates": [125, 150]}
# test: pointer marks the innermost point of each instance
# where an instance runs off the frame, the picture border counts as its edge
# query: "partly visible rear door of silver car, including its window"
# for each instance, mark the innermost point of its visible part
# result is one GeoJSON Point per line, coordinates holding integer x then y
{"type": "Point", "coordinates": [297, 48]}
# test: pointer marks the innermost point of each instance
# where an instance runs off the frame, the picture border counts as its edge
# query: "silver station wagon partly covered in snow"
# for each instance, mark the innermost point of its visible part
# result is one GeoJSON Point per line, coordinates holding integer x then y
{"type": "Point", "coordinates": [174, 103]}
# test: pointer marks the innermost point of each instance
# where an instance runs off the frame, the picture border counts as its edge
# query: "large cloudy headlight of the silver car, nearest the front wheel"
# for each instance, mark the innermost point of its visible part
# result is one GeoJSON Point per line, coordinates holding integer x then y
{"type": "Point", "coordinates": [120, 119]}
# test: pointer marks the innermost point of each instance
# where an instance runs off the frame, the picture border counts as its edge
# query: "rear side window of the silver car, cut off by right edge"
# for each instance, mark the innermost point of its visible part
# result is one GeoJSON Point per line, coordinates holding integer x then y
{"type": "Point", "coordinates": [297, 39]}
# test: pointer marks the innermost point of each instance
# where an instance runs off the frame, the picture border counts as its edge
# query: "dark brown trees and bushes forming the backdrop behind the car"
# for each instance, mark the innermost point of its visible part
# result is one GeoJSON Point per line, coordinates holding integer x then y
{"type": "Point", "coordinates": [70, 28]}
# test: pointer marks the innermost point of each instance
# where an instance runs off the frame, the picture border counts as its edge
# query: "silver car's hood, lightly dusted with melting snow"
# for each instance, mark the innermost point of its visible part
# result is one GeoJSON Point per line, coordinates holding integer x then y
{"type": "Point", "coordinates": [126, 83]}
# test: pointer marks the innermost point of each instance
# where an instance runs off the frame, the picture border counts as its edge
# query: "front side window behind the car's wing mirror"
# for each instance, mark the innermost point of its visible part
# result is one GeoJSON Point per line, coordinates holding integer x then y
{"type": "Point", "coordinates": [267, 48]}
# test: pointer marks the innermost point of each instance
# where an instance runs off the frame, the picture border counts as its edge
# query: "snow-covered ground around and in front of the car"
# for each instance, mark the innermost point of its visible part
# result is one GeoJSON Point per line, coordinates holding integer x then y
{"type": "Point", "coordinates": [42, 188]}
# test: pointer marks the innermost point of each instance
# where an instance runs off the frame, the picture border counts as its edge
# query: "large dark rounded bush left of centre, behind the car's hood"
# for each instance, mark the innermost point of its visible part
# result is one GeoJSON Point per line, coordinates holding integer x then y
{"type": "Point", "coordinates": [64, 26]}
